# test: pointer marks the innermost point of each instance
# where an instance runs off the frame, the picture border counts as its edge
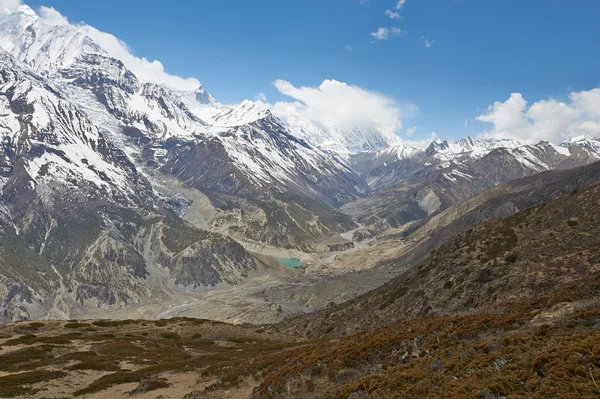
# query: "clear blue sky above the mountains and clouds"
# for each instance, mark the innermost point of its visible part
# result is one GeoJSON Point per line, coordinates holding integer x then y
{"type": "Point", "coordinates": [484, 50]}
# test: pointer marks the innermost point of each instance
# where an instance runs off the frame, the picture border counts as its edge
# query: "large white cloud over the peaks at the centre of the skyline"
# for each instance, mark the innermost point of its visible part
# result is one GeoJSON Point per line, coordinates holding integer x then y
{"type": "Point", "coordinates": [336, 103]}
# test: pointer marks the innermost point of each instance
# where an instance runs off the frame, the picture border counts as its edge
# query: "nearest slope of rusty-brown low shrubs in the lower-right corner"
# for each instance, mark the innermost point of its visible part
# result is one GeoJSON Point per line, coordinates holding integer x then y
{"type": "Point", "coordinates": [494, 353]}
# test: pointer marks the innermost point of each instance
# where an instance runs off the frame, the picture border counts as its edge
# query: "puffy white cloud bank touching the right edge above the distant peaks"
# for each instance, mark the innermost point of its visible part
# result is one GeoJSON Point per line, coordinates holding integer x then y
{"type": "Point", "coordinates": [550, 120]}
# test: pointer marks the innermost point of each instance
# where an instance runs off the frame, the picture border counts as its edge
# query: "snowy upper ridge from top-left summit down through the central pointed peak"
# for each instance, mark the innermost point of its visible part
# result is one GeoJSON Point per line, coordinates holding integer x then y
{"type": "Point", "coordinates": [149, 112]}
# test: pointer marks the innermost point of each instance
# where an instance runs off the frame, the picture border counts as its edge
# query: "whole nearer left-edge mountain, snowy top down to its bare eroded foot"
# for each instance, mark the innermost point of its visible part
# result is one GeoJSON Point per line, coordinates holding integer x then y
{"type": "Point", "coordinates": [78, 223]}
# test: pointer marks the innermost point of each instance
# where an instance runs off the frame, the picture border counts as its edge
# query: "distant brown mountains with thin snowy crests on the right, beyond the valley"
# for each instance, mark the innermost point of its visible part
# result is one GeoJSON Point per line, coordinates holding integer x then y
{"type": "Point", "coordinates": [415, 188]}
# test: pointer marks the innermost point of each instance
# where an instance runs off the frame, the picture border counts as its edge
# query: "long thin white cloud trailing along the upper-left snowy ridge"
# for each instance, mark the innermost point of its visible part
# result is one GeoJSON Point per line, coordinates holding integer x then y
{"type": "Point", "coordinates": [150, 71]}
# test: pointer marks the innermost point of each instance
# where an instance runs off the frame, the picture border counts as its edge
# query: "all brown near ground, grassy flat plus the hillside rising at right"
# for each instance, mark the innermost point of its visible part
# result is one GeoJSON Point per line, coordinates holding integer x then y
{"type": "Point", "coordinates": [504, 308]}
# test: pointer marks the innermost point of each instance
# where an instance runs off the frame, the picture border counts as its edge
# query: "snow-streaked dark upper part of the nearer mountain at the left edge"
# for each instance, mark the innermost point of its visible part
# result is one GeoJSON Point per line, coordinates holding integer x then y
{"type": "Point", "coordinates": [49, 139]}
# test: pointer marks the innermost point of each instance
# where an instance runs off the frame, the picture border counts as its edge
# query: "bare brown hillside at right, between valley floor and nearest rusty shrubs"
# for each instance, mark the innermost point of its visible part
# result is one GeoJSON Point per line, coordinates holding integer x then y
{"type": "Point", "coordinates": [537, 250]}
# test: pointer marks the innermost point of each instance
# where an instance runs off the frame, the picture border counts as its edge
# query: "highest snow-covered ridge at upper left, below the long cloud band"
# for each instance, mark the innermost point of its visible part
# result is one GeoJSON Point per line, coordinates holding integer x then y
{"type": "Point", "coordinates": [69, 58]}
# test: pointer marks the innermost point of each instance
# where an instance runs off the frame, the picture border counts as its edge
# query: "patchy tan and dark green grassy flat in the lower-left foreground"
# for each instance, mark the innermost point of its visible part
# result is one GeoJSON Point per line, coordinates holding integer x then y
{"type": "Point", "coordinates": [121, 352]}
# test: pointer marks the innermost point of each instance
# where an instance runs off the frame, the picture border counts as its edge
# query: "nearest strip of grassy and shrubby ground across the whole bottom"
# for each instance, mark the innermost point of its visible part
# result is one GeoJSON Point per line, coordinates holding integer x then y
{"type": "Point", "coordinates": [537, 347]}
